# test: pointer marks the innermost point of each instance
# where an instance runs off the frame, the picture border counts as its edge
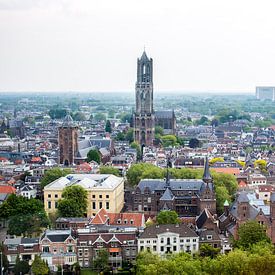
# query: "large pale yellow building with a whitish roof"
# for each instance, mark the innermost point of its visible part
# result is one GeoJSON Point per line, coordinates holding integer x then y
{"type": "Point", "coordinates": [104, 191]}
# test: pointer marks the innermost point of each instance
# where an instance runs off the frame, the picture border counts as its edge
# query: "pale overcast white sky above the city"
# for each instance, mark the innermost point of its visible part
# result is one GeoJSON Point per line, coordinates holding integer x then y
{"type": "Point", "coordinates": [93, 45]}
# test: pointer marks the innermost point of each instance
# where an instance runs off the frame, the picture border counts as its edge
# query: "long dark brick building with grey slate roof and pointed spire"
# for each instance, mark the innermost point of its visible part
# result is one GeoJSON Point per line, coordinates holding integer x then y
{"type": "Point", "coordinates": [188, 197]}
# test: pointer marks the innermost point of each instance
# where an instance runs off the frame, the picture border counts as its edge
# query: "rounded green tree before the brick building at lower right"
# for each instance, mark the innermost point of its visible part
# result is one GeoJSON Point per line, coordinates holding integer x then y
{"type": "Point", "coordinates": [251, 232]}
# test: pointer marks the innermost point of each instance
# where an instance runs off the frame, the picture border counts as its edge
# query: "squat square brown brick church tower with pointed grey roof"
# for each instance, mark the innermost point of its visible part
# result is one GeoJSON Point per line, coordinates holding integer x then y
{"type": "Point", "coordinates": [67, 141]}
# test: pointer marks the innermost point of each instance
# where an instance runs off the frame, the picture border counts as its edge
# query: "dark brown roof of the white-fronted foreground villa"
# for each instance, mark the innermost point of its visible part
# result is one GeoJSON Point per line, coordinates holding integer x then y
{"type": "Point", "coordinates": [154, 230]}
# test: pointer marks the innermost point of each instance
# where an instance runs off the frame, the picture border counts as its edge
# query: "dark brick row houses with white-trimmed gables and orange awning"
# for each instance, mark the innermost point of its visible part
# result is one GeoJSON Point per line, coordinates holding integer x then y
{"type": "Point", "coordinates": [120, 244]}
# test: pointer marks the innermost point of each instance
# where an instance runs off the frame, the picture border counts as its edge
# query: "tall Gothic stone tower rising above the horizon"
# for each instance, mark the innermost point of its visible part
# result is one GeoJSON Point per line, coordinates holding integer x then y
{"type": "Point", "coordinates": [144, 119]}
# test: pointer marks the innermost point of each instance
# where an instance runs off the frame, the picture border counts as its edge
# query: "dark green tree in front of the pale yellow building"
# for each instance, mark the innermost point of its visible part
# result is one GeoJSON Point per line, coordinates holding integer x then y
{"type": "Point", "coordinates": [74, 202]}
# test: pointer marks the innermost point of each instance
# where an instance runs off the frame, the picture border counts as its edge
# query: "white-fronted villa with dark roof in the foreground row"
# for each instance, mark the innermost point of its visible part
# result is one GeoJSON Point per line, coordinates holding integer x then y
{"type": "Point", "coordinates": [168, 238]}
